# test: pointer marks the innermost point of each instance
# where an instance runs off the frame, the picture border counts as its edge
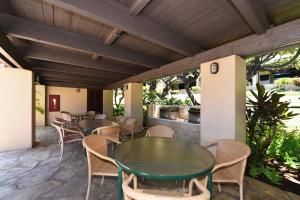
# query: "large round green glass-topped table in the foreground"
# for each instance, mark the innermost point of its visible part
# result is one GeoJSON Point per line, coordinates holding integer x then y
{"type": "Point", "coordinates": [163, 159]}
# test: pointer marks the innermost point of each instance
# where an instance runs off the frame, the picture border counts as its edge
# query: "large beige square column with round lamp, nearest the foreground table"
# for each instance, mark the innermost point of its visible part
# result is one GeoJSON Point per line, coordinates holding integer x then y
{"type": "Point", "coordinates": [223, 100]}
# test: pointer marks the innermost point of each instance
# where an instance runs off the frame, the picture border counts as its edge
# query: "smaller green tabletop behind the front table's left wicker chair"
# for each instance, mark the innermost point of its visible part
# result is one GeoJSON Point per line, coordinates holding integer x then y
{"type": "Point", "coordinates": [88, 125]}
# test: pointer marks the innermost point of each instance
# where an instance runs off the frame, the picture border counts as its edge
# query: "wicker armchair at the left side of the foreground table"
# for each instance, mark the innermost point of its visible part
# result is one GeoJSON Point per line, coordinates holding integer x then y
{"type": "Point", "coordinates": [99, 164]}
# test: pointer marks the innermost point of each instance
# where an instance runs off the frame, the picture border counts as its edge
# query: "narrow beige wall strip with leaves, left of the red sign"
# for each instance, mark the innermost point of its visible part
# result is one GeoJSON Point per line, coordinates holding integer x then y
{"type": "Point", "coordinates": [40, 101]}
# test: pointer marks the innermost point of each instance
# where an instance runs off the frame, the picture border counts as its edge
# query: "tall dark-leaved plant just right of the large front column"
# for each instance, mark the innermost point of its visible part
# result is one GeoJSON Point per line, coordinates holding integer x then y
{"type": "Point", "coordinates": [265, 114]}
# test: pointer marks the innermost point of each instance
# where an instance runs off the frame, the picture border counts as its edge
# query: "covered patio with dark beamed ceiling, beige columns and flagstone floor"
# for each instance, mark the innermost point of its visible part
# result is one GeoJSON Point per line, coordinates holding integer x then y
{"type": "Point", "coordinates": [69, 55]}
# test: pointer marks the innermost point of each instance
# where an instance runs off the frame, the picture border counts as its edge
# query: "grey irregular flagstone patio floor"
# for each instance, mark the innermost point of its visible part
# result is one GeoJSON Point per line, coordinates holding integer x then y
{"type": "Point", "coordinates": [37, 174]}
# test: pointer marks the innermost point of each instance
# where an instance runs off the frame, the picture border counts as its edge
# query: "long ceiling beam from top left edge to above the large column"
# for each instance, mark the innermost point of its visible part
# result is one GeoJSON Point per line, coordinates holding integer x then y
{"type": "Point", "coordinates": [138, 26]}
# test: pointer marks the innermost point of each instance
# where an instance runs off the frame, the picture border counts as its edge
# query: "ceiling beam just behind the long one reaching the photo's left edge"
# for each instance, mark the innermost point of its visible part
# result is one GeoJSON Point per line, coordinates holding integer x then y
{"type": "Point", "coordinates": [77, 59]}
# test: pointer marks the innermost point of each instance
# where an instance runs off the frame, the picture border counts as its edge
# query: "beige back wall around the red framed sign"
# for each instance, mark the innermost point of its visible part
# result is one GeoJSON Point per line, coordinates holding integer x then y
{"type": "Point", "coordinates": [70, 101]}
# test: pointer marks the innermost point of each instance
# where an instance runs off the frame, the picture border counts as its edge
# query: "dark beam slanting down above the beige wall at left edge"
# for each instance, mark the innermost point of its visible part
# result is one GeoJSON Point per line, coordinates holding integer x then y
{"type": "Point", "coordinates": [8, 50]}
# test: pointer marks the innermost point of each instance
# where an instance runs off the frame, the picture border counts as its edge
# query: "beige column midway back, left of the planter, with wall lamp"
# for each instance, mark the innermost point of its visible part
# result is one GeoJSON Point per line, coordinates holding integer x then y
{"type": "Point", "coordinates": [134, 103]}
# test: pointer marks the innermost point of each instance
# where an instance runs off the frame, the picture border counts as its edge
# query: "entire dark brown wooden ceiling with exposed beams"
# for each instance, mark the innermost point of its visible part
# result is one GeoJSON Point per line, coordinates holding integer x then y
{"type": "Point", "coordinates": [97, 43]}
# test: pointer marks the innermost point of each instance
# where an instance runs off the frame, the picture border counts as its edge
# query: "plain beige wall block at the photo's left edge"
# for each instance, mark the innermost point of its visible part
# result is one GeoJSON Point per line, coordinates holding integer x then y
{"type": "Point", "coordinates": [16, 106]}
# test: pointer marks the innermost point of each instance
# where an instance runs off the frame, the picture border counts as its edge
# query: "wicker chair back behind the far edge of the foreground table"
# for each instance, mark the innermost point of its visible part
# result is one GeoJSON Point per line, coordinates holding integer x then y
{"type": "Point", "coordinates": [160, 131]}
